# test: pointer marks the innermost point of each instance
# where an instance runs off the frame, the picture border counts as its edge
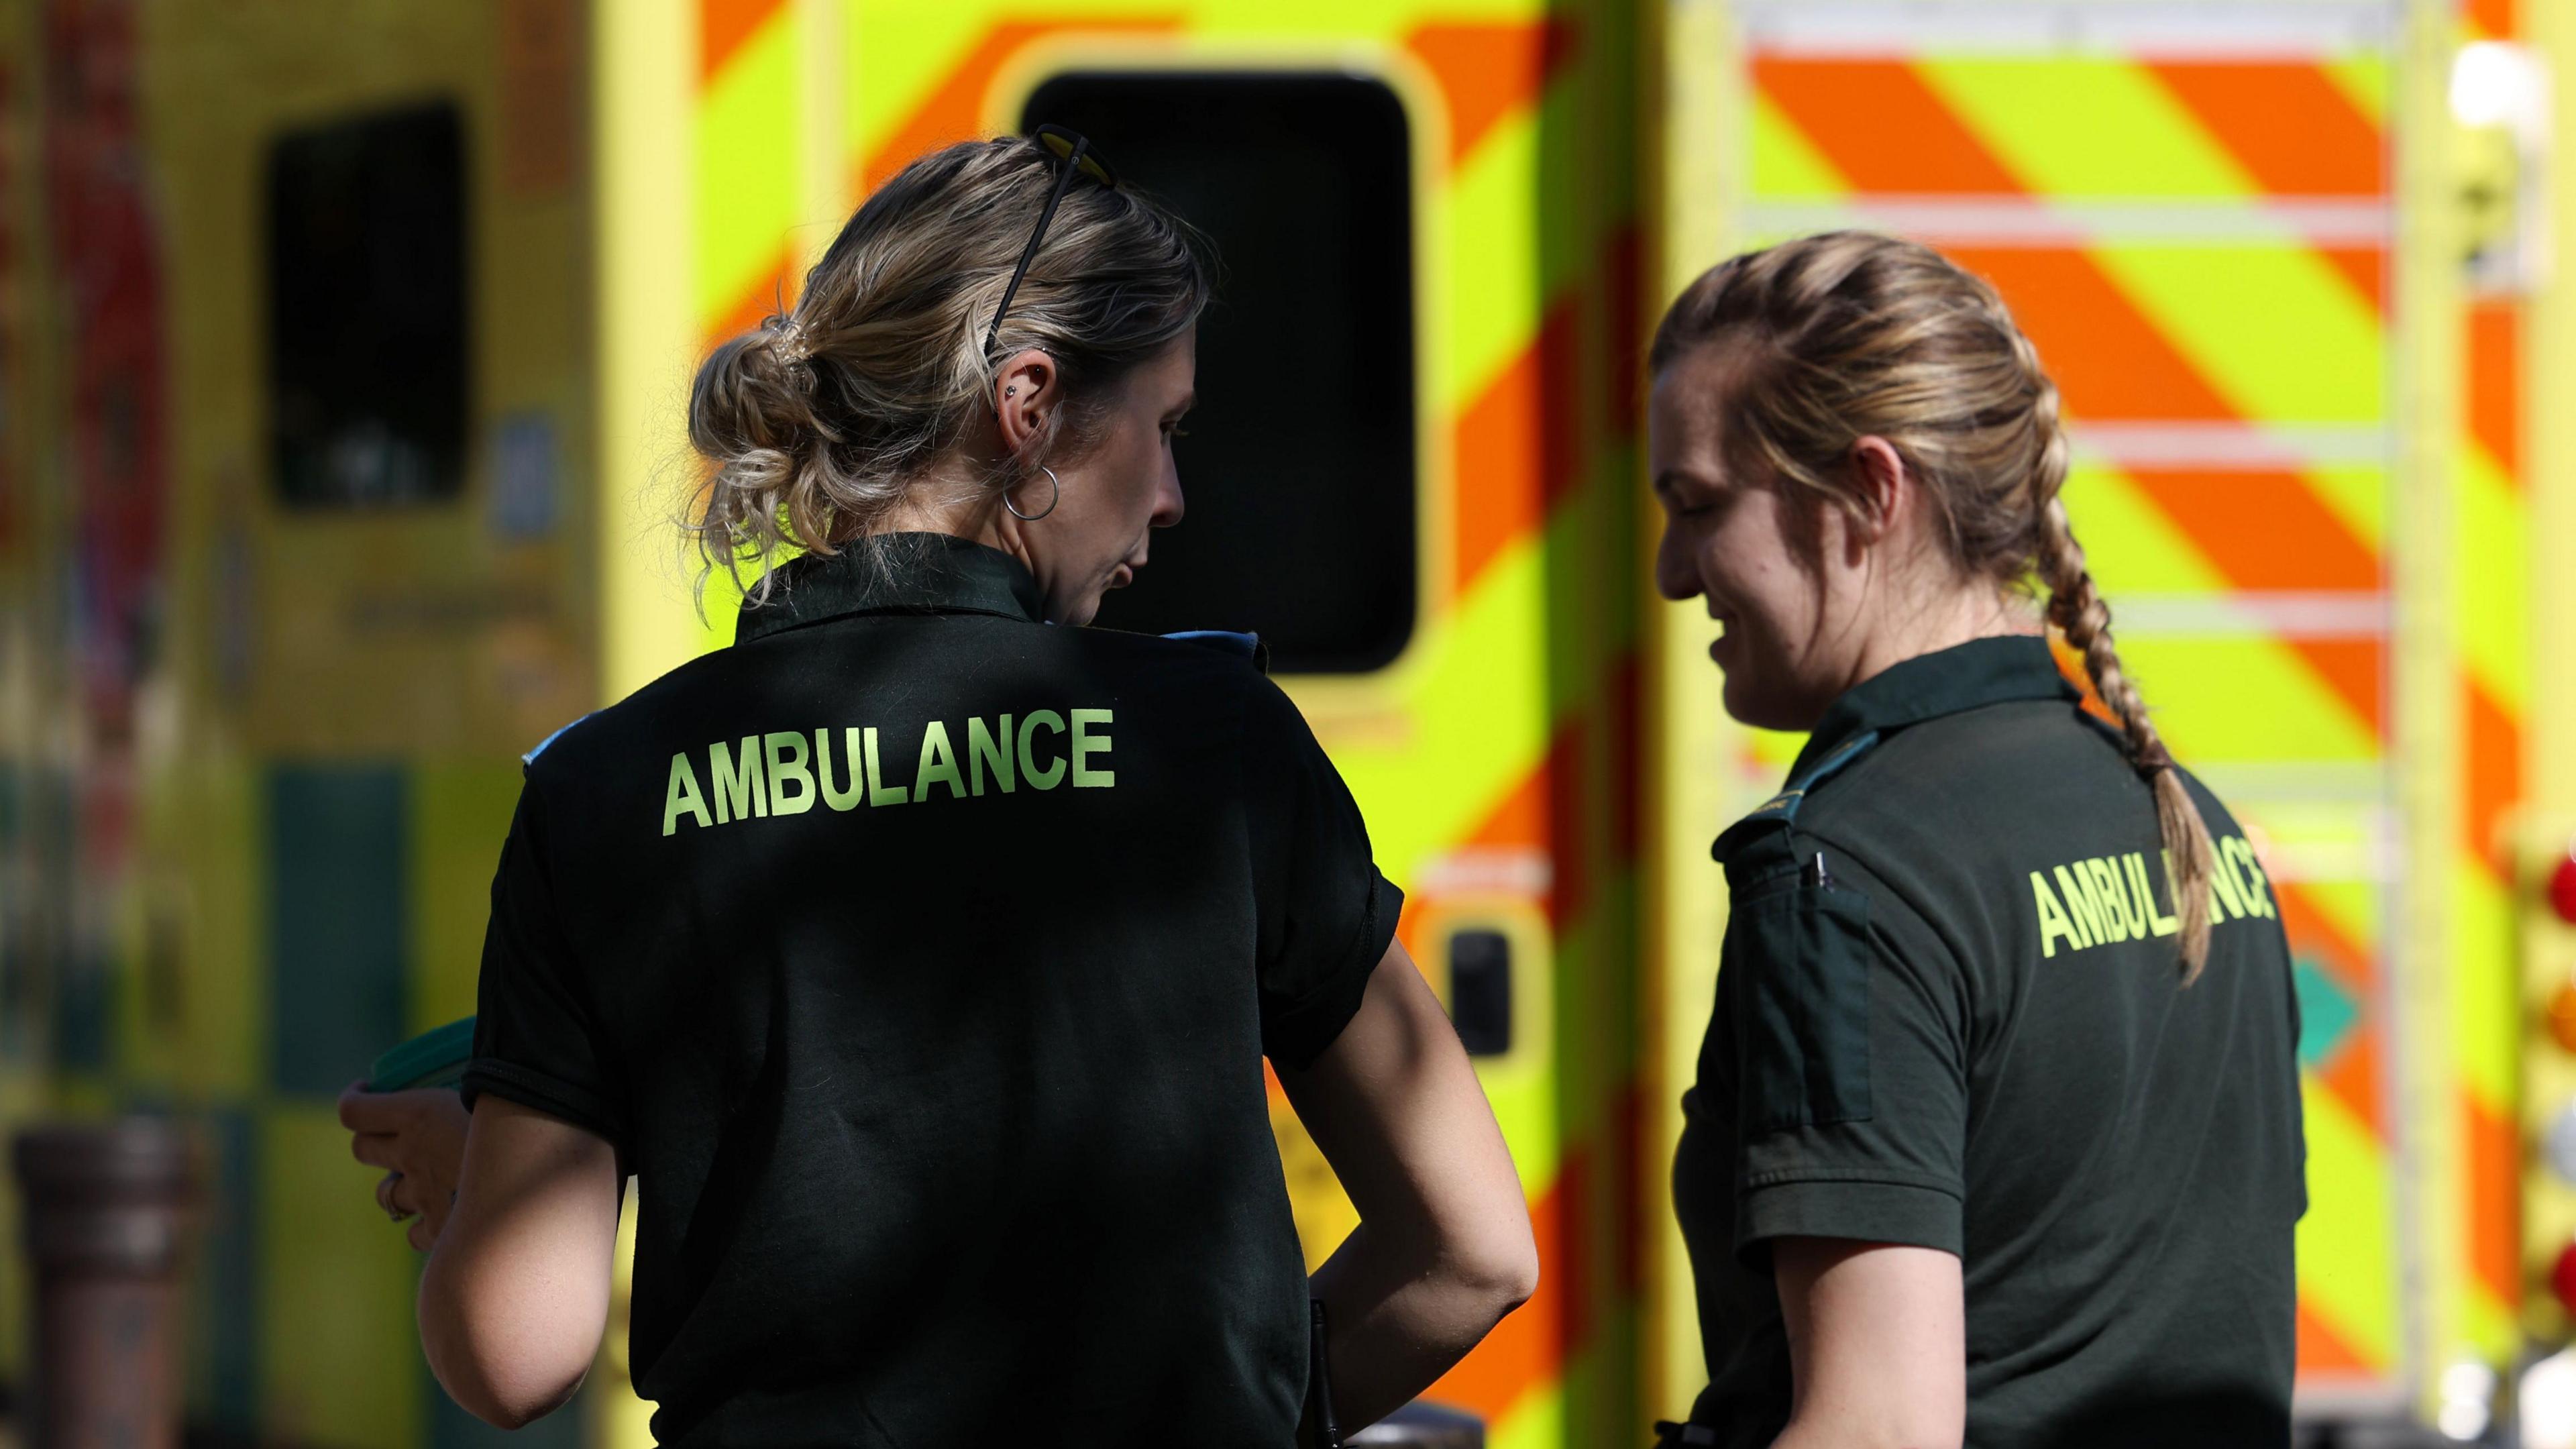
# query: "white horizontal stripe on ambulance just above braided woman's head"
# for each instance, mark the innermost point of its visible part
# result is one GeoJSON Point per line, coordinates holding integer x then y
{"type": "Point", "coordinates": [2041, 223]}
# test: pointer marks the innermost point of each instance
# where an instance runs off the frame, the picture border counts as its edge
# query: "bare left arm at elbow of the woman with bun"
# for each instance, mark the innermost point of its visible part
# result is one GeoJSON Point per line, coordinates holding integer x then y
{"type": "Point", "coordinates": [516, 1293]}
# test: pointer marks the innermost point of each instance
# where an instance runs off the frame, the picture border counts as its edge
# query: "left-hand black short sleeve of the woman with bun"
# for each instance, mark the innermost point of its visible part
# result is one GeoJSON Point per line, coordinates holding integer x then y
{"type": "Point", "coordinates": [537, 1038]}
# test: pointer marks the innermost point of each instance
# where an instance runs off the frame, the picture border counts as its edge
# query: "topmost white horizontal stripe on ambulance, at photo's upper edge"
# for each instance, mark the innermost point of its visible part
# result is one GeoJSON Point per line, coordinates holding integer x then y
{"type": "Point", "coordinates": [2147, 30]}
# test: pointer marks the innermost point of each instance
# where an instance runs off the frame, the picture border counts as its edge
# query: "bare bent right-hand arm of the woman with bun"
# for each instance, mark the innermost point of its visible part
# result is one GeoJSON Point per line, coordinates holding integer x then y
{"type": "Point", "coordinates": [1444, 1244]}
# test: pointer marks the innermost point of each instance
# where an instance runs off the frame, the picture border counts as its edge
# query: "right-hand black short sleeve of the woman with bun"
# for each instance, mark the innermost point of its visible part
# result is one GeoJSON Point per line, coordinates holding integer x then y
{"type": "Point", "coordinates": [1320, 904]}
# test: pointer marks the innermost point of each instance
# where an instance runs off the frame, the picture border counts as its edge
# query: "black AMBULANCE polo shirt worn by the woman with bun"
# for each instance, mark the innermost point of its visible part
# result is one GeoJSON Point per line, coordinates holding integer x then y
{"type": "Point", "coordinates": [921, 963]}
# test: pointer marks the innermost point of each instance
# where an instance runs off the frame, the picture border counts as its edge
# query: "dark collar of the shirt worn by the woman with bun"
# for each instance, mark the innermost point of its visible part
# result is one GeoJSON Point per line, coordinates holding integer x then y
{"type": "Point", "coordinates": [893, 574]}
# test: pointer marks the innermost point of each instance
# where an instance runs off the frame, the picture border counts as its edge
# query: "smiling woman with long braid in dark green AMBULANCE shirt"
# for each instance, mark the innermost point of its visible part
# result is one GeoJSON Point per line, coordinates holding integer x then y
{"type": "Point", "coordinates": [1995, 1131]}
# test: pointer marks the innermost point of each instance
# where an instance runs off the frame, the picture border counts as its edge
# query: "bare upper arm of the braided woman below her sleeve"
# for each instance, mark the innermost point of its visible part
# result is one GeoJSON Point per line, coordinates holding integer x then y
{"type": "Point", "coordinates": [1877, 1345]}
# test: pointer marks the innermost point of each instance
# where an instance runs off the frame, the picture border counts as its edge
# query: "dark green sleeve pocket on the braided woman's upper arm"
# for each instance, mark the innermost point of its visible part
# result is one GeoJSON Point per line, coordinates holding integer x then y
{"type": "Point", "coordinates": [1797, 966]}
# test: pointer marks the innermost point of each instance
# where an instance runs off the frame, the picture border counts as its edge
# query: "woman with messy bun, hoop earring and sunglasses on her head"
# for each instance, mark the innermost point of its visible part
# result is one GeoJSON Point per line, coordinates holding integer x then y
{"type": "Point", "coordinates": [918, 955]}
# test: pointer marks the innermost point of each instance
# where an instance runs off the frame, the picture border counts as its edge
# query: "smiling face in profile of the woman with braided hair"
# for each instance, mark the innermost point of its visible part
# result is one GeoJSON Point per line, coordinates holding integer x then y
{"type": "Point", "coordinates": [1727, 543]}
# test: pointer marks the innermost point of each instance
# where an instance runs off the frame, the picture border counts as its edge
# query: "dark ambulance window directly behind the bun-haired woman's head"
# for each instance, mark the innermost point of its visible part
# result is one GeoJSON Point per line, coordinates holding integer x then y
{"type": "Point", "coordinates": [1300, 465]}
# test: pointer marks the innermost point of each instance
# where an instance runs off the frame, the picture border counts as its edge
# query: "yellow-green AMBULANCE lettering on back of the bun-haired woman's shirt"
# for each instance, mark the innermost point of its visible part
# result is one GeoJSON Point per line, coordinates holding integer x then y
{"type": "Point", "coordinates": [787, 772]}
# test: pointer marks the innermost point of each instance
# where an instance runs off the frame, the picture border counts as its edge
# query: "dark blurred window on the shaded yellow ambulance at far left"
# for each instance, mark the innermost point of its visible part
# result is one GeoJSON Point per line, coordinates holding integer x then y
{"type": "Point", "coordinates": [367, 311]}
